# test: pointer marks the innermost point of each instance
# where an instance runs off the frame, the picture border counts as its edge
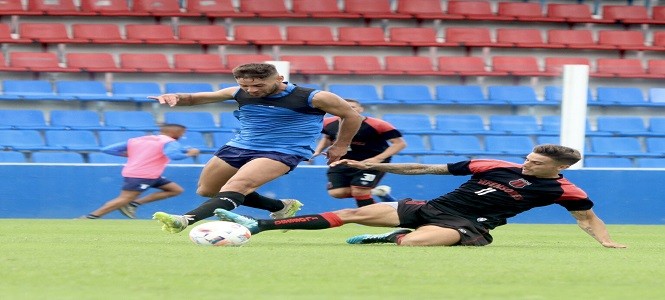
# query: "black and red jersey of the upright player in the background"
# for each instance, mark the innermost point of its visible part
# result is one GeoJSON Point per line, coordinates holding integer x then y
{"type": "Point", "coordinates": [371, 139]}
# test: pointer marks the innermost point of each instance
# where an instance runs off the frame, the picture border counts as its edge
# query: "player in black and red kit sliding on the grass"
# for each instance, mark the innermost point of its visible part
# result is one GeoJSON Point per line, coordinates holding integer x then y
{"type": "Point", "coordinates": [496, 191]}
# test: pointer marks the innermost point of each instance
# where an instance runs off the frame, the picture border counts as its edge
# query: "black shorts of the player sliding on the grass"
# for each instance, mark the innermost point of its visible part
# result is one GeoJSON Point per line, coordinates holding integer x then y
{"type": "Point", "coordinates": [414, 214]}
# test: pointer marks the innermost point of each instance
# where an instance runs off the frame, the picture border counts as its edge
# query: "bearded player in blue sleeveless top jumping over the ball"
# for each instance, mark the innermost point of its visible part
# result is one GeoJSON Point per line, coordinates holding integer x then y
{"type": "Point", "coordinates": [279, 123]}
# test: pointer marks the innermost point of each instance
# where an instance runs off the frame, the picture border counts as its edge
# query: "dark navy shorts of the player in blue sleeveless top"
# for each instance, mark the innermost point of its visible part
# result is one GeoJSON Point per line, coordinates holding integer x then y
{"type": "Point", "coordinates": [237, 157]}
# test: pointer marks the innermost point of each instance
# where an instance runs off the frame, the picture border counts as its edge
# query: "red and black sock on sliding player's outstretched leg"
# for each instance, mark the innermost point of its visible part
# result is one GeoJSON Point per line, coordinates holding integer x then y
{"type": "Point", "coordinates": [306, 222]}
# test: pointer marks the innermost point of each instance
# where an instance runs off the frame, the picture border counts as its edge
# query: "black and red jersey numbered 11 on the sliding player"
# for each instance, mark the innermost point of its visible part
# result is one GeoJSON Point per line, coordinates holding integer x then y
{"type": "Point", "coordinates": [497, 190]}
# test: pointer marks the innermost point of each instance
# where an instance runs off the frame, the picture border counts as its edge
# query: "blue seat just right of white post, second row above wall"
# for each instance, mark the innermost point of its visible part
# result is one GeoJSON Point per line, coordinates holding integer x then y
{"type": "Point", "coordinates": [615, 146]}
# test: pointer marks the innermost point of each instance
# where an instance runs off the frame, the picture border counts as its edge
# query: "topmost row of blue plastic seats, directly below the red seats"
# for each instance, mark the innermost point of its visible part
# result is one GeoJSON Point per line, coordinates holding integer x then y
{"type": "Point", "coordinates": [391, 93]}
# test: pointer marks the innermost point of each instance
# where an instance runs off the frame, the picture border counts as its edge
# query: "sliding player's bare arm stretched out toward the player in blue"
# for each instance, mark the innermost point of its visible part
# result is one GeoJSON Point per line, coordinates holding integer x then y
{"type": "Point", "coordinates": [404, 169]}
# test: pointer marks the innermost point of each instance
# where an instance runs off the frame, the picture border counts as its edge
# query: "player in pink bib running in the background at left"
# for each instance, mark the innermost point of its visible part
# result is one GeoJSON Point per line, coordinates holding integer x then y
{"type": "Point", "coordinates": [147, 157]}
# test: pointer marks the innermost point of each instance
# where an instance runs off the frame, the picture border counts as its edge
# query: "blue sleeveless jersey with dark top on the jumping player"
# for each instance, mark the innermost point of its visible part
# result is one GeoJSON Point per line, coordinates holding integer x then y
{"type": "Point", "coordinates": [285, 122]}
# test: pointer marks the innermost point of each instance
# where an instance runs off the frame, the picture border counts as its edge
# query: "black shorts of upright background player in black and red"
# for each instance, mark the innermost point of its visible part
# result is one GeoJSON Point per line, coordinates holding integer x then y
{"type": "Point", "coordinates": [344, 176]}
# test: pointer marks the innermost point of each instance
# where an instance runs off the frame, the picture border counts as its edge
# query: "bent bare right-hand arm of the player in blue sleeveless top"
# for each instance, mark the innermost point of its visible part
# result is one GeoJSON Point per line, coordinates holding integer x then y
{"type": "Point", "coordinates": [349, 122]}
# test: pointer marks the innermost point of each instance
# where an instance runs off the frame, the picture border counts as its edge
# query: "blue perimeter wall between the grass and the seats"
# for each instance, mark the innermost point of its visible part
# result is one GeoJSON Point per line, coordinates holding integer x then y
{"type": "Point", "coordinates": [69, 191]}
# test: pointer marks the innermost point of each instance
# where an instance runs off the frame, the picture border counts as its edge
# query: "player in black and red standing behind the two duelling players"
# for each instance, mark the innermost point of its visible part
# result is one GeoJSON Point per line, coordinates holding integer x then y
{"type": "Point", "coordinates": [376, 141]}
